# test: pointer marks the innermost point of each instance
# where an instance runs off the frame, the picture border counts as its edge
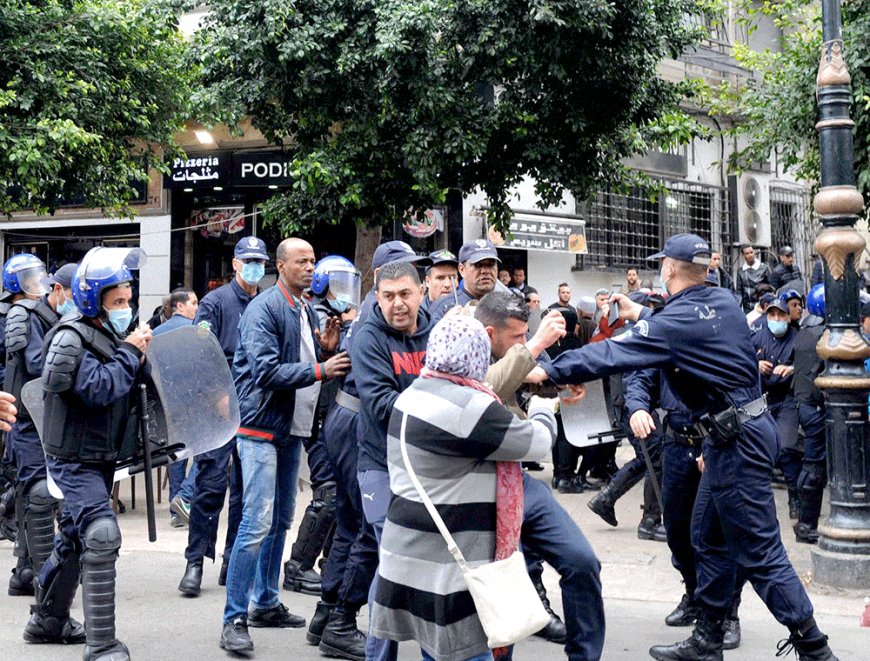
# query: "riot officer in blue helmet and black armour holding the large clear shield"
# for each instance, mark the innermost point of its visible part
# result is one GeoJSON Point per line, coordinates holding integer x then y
{"type": "Point", "coordinates": [91, 367]}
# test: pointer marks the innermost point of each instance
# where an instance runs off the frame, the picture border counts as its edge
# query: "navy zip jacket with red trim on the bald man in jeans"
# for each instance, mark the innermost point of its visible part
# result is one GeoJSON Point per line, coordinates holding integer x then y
{"type": "Point", "coordinates": [267, 368]}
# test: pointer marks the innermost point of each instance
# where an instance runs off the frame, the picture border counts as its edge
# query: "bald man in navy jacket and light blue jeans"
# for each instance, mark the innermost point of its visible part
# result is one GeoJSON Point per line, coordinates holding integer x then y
{"type": "Point", "coordinates": [277, 370]}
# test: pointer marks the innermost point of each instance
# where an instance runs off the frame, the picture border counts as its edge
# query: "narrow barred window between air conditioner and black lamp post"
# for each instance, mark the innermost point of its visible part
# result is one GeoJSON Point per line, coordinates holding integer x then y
{"type": "Point", "coordinates": [792, 223]}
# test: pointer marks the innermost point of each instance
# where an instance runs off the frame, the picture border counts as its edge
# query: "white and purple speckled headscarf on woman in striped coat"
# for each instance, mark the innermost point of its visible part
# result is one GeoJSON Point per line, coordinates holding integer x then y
{"type": "Point", "coordinates": [459, 345]}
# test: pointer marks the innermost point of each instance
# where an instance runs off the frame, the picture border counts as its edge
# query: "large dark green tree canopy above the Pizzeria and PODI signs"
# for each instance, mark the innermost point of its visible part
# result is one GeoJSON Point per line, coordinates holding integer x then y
{"type": "Point", "coordinates": [388, 104]}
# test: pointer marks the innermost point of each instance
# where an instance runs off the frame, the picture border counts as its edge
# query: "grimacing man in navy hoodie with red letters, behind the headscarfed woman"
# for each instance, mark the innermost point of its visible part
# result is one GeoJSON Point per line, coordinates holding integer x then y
{"type": "Point", "coordinates": [388, 352]}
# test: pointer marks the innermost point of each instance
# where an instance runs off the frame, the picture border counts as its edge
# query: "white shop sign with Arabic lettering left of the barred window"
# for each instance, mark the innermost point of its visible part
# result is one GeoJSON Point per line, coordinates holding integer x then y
{"type": "Point", "coordinates": [543, 232]}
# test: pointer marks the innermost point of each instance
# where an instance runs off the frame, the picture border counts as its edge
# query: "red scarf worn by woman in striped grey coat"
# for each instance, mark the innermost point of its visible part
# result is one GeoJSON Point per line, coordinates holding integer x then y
{"type": "Point", "coordinates": [509, 481]}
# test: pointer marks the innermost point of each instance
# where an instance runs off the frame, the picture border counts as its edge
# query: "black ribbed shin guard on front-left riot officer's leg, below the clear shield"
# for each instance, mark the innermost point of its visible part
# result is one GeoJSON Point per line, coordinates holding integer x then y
{"type": "Point", "coordinates": [102, 541]}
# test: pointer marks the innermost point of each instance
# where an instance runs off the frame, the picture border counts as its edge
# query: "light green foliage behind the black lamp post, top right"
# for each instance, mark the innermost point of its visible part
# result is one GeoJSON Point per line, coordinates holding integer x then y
{"type": "Point", "coordinates": [778, 111]}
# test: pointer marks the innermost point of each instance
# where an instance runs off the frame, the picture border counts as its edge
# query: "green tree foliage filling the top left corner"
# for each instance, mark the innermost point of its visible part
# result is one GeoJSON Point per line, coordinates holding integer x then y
{"type": "Point", "coordinates": [89, 89]}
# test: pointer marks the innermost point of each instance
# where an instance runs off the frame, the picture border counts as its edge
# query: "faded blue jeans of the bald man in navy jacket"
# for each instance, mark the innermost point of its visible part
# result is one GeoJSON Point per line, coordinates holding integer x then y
{"type": "Point", "coordinates": [269, 474]}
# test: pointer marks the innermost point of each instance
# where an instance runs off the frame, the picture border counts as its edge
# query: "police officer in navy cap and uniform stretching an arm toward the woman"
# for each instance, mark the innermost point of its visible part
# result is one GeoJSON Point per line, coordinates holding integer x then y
{"type": "Point", "coordinates": [701, 341]}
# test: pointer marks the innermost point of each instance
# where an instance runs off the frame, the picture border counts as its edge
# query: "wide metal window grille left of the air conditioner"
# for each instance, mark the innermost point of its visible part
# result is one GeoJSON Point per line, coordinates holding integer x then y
{"type": "Point", "coordinates": [623, 230]}
